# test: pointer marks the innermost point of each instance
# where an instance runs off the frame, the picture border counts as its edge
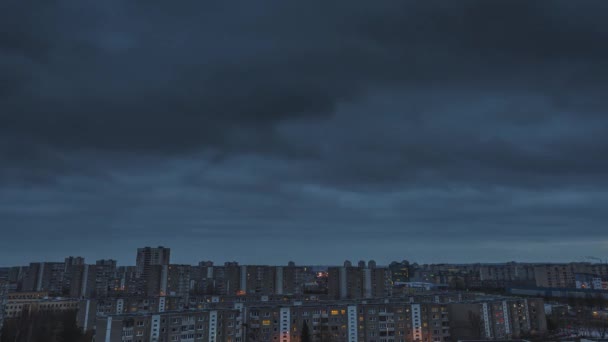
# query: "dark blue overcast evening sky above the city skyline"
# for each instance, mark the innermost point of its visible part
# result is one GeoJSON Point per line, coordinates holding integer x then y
{"type": "Point", "coordinates": [312, 131]}
